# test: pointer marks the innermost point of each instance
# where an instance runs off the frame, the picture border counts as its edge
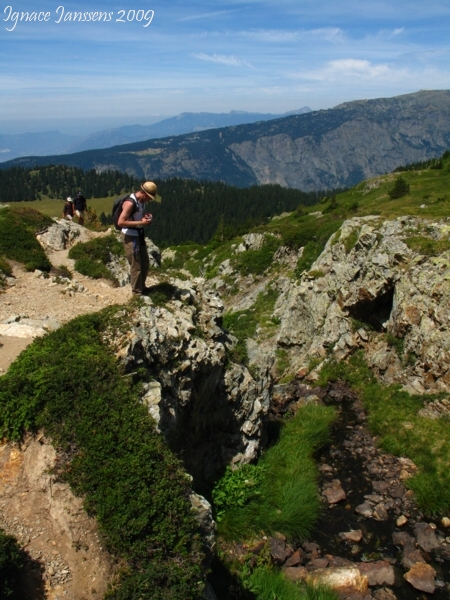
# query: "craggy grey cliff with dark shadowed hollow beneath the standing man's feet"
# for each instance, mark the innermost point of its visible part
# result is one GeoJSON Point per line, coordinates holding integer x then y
{"type": "Point", "coordinates": [209, 409]}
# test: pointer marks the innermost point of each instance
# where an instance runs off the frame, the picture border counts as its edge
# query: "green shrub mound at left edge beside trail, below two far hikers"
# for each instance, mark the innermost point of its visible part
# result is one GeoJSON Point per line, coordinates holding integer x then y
{"type": "Point", "coordinates": [18, 227]}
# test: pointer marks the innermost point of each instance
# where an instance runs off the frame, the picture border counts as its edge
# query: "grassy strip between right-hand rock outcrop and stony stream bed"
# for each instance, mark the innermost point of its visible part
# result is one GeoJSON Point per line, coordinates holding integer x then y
{"type": "Point", "coordinates": [393, 416]}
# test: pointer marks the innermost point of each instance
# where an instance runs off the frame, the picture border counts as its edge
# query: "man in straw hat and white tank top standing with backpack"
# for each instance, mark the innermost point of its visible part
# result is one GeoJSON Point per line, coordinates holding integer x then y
{"type": "Point", "coordinates": [132, 221]}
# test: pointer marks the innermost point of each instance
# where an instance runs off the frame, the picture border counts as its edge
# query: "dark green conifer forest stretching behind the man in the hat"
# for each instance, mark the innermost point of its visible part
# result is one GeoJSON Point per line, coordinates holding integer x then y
{"type": "Point", "coordinates": [190, 210]}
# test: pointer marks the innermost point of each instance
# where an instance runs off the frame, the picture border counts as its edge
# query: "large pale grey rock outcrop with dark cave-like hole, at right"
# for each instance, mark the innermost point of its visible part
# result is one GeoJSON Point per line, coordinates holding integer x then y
{"type": "Point", "coordinates": [366, 283]}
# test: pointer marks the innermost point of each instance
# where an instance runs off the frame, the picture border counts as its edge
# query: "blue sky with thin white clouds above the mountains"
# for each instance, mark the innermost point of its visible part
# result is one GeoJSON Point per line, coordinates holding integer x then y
{"type": "Point", "coordinates": [147, 59]}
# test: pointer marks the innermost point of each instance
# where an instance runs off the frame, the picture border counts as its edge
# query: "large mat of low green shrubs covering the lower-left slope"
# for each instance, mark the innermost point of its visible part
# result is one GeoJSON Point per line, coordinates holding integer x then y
{"type": "Point", "coordinates": [131, 481]}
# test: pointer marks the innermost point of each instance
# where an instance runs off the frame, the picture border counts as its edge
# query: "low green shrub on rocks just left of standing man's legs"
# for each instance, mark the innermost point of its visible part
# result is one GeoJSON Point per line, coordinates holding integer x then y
{"type": "Point", "coordinates": [91, 257]}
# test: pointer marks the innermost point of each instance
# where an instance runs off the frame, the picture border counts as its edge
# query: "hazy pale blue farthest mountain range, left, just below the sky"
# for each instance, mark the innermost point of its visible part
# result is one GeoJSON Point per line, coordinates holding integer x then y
{"type": "Point", "coordinates": [53, 142]}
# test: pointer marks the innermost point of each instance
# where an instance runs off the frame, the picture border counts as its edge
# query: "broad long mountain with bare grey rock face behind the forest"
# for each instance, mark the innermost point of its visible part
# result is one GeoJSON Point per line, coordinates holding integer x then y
{"type": "Point", "coordinates": [317, 150]}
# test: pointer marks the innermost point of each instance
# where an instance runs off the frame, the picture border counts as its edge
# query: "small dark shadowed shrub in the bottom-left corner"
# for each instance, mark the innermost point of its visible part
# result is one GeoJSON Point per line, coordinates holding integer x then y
{"type": "Point", "coordinates": [12, 563]}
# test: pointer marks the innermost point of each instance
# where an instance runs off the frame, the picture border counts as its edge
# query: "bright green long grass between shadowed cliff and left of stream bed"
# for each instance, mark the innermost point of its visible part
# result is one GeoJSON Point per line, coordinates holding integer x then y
{"type": "Point", "coordinates": [288, 501]}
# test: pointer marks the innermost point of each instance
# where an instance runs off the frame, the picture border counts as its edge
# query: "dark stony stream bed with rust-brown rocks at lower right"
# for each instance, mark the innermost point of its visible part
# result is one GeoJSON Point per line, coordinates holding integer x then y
{"type": "Point", "coordinates": [372, 542]}
